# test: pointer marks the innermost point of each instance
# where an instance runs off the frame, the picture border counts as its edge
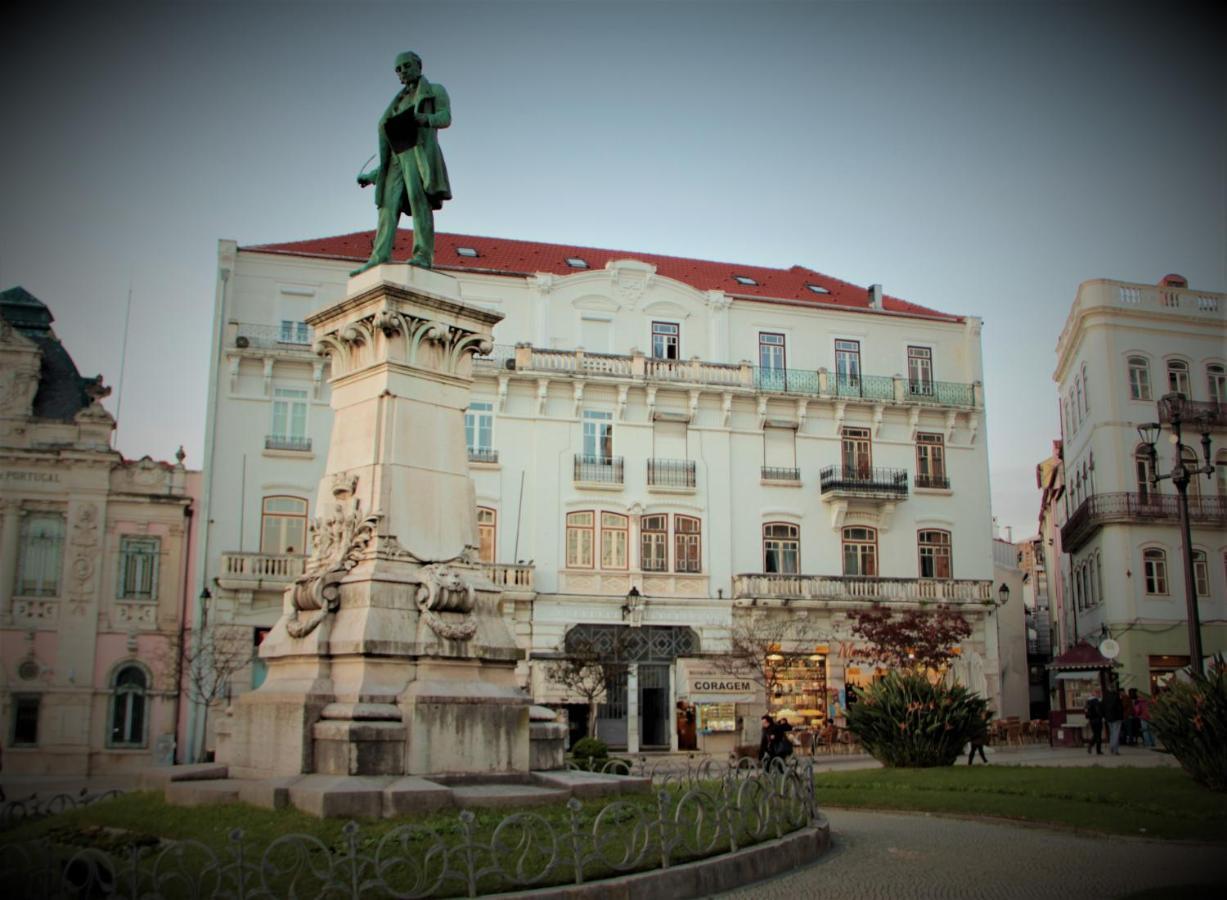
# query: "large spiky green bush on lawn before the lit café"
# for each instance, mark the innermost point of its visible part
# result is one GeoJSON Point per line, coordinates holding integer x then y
{"type": "Point", "coordinates": [902, 720]}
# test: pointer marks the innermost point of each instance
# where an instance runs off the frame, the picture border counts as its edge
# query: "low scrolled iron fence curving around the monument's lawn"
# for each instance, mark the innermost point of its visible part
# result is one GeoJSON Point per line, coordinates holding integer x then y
{"type": "Point", "coordinates": [688, 820]}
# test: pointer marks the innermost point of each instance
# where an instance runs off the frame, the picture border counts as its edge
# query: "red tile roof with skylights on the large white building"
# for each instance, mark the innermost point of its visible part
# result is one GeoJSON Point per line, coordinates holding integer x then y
{"type": "Point", "coordinates": [504, 256]}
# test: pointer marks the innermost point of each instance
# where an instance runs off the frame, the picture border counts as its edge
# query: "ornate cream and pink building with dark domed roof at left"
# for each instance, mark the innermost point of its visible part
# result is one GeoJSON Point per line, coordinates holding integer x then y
{"type": "Point", "coordinates": [94, 564]}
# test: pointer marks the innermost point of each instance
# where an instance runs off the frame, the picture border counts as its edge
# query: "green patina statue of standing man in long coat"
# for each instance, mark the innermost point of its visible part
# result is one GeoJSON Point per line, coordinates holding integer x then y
{"type": "Point", "coordinates": [412, 176]}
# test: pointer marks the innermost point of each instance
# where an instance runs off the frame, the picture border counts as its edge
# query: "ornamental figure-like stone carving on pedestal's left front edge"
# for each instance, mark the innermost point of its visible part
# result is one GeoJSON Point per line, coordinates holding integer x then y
{"type": "Point", "coordinates": [339, 540]}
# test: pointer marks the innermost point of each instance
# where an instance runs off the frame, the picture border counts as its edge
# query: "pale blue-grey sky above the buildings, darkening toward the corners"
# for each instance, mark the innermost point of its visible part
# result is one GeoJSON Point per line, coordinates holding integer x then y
{"type": "Point", "coordinates": [981, 159]}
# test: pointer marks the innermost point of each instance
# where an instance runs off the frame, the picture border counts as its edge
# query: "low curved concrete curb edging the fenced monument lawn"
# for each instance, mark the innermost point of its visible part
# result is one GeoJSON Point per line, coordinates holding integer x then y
{"type": "Point", "coordinates": [704, 877]}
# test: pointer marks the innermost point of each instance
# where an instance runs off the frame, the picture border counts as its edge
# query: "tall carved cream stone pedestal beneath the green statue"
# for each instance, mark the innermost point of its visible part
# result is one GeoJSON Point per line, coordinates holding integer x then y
{"type": "Point", "coordinates": [392, 656]}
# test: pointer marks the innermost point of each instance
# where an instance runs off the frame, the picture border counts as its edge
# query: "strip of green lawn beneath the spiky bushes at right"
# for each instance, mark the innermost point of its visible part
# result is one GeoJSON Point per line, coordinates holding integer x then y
{"type": "Point", "coordinates": [1153, 802]}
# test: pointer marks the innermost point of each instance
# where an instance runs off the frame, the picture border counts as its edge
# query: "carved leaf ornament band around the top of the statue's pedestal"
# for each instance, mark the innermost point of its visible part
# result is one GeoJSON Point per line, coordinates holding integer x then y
{"type": "Point", "coordinates": [394, 335]}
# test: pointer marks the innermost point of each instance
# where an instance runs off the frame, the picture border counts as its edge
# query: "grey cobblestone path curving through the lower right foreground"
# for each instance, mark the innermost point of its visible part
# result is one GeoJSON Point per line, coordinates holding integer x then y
{"type": "Point", "coordinates": [884, 856]}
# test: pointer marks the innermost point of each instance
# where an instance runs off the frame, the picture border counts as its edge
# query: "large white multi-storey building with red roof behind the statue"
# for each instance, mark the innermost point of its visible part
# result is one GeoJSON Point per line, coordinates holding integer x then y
{"type": "Point", "coordinates": [661, 448]}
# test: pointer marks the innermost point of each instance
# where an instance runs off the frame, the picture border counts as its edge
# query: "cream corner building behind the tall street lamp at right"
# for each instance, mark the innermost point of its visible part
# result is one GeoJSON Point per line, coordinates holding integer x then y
{"type": "Point", "coordinates": [1123, 347]}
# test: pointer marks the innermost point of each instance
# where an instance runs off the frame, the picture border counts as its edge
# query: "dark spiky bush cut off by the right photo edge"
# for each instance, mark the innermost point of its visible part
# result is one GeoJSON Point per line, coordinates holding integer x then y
{"type": "Point", "coordinates": [1191, 719]}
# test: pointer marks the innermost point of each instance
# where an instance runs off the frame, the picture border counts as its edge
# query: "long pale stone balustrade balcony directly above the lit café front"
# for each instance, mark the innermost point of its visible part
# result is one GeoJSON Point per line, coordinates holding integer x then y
{"type": "Point", "coordinates": [855, 589]}
